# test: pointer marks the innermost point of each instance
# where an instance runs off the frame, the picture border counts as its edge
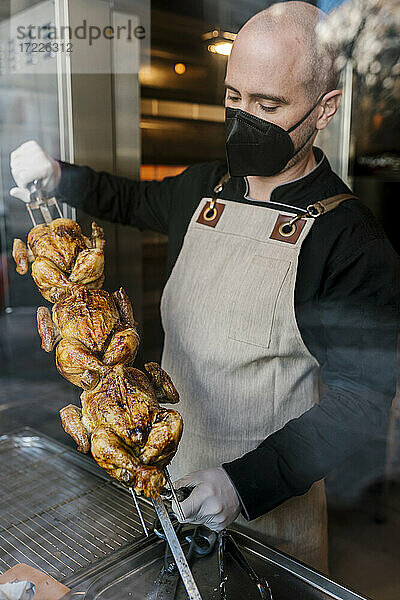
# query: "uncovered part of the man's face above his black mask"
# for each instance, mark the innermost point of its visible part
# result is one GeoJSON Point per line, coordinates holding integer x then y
{"type": "Point", "coordinates": [267, 77]}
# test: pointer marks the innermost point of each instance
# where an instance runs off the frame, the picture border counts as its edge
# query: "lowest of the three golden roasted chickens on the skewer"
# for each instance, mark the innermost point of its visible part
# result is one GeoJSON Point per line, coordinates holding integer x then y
{"type": "Point", "coordinates": [122, 416]}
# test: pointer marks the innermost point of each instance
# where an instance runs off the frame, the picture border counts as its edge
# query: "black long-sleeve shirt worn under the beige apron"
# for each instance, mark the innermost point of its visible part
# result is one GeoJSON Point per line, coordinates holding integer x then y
{"type": "Point", "coordinates": [347, 299]}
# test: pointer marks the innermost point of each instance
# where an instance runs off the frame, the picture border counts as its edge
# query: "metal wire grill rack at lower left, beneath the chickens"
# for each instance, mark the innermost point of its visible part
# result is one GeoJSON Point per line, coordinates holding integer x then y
{"type": "Point", "coordinates": [58, 512]}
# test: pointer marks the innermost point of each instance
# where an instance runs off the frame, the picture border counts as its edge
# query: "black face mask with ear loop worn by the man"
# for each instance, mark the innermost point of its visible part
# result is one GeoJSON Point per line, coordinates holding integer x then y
{"type": "Point", "coordinates": [257, 147]}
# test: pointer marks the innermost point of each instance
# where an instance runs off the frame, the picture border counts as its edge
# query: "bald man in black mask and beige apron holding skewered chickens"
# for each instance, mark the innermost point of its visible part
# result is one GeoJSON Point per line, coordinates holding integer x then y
{"type": "Point", "coordinates": [256, 308]}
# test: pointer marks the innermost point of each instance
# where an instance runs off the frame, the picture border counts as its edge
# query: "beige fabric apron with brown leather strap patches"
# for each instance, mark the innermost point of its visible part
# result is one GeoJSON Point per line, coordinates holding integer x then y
{"type": "Point", "coordinates": [235, 353]}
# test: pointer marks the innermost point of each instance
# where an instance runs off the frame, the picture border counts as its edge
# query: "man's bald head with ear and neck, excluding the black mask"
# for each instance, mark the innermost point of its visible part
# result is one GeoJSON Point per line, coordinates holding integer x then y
{"type": "Point", "coordinates": [279, 70]}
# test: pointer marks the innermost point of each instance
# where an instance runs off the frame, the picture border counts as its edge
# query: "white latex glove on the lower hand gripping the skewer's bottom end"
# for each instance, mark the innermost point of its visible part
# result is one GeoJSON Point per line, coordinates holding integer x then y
{"type": "Point", "coordinates": [213, 501]}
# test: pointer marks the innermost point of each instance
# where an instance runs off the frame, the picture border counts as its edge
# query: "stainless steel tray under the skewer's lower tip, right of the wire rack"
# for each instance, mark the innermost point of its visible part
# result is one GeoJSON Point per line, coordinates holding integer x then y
{"type": "Point", "coordinates": [133, 577]}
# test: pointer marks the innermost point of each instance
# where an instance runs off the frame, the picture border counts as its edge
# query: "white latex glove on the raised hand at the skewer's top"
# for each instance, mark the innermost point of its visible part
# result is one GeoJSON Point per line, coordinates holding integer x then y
{"type": "Point", "coordinates": [30, 162]}
